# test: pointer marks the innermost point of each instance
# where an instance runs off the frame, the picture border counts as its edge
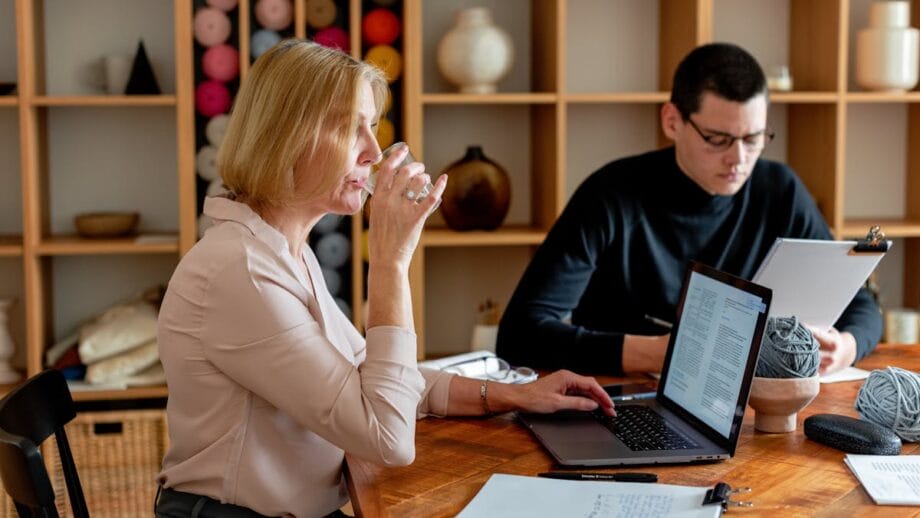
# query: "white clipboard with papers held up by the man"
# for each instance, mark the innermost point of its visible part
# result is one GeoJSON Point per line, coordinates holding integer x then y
{"type": "Point", "coordinates": [813, 279]}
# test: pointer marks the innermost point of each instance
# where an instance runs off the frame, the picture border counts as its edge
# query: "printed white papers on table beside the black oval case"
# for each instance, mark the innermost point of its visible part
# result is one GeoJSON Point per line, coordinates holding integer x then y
{"type": "Point", "coordinates": [889, 480]}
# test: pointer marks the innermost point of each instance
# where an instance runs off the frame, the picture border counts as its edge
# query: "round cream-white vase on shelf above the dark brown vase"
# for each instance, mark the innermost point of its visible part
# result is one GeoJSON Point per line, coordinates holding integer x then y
{"type": "Point", "coordinates": [475, 54]}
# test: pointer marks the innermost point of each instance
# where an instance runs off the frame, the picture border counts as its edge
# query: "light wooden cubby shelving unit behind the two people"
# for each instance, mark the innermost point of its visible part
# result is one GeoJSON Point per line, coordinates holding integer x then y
{"type": "Point", "coordinates": [553, 121]}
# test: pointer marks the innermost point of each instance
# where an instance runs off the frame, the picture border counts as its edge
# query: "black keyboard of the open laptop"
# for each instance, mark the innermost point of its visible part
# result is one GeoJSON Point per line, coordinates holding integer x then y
{"type": "Point", "coordinates": [642, 429]}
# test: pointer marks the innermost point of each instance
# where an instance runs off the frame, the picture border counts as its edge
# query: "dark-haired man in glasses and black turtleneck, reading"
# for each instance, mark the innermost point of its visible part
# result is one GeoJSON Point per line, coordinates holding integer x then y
{"type": "Point", "coordinates": [613, 264]}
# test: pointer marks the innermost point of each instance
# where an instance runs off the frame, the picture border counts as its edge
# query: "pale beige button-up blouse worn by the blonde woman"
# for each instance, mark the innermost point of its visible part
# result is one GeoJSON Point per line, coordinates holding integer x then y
{"type": "Point", "coordinates": [270, 383]}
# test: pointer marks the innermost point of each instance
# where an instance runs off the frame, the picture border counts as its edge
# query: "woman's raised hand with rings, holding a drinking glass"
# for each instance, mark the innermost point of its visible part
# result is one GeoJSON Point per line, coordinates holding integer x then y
{"type": "Point", "coordinates": [396, 221]}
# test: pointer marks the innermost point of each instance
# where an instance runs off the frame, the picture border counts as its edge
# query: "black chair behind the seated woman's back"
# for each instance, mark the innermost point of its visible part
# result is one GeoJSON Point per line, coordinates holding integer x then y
{"type": "Point", "coordinates": [28, 415]}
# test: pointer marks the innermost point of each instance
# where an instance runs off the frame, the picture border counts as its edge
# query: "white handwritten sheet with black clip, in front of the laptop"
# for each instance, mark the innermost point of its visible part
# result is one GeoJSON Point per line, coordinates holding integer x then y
{"type": "Point", "coordinates": [513, 496]}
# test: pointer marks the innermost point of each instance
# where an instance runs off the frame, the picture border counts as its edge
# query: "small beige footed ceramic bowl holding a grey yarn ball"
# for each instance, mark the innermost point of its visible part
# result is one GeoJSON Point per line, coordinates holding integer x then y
{"type": "Point", "coordinates": [777, 401]}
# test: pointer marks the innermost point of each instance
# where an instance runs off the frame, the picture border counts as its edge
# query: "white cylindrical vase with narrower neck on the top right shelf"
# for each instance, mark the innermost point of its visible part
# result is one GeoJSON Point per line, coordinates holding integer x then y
{"type": "Point", "coordinates": [887, 51]}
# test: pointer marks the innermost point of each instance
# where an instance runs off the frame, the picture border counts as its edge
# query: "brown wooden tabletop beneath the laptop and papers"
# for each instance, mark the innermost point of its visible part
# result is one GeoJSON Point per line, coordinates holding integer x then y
{"type": "Point", "coordinates": [790, 475]}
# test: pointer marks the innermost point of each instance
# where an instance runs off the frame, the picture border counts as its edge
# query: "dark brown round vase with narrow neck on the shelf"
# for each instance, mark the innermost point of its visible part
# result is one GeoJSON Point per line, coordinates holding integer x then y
{"type": "Point", "coordinates": [478, 193]}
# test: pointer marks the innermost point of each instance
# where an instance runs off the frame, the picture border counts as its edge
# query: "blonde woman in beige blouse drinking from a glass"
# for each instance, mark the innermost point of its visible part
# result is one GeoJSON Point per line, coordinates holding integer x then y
{"type": "Point", "coordinates": [269, 383]}
